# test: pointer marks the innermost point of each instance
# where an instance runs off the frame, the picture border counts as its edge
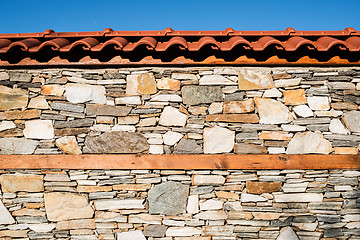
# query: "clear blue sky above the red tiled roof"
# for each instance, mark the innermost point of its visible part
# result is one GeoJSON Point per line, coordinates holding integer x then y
{"type": "Point", "coordinates": [67, 16]}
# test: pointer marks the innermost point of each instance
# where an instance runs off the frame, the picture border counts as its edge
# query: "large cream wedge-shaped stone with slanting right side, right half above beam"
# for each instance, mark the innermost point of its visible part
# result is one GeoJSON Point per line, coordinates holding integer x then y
{"type": "Point", "coordinates": [272, 111]}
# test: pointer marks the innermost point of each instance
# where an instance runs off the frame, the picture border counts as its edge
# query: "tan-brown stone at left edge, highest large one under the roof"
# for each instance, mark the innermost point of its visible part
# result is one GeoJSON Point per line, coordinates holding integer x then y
{"type": "Point", "coordinates": [12, 98]}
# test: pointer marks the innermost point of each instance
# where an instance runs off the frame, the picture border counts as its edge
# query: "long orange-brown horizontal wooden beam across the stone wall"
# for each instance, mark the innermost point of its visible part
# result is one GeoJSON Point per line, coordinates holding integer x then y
{"type": "Point", "coordinates": [179, 161]}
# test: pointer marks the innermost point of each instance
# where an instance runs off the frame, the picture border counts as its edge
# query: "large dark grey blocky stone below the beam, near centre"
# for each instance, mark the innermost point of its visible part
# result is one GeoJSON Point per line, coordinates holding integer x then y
{"type": "Point", "coordinates": [168, 198]}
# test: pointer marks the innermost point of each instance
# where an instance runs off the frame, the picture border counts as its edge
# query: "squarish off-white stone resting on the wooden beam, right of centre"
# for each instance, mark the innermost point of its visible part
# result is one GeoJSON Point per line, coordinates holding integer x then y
{"type": "Point", "coordinates": [218, 140]}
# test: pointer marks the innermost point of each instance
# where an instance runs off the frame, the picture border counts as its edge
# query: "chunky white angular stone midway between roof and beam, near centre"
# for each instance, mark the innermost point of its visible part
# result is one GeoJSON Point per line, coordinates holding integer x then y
{"type": "Point", "coordinates": [172, 117]}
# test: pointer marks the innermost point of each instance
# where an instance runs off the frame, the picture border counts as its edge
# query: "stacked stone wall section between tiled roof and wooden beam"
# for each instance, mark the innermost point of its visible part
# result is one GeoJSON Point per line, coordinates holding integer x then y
{"type": "Point", "coordinates": [180, 110]}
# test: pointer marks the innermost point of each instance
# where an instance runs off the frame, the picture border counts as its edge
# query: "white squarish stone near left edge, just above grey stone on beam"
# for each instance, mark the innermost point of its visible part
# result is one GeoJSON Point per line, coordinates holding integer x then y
{"type": "Point", "coordinates": [39, 129]}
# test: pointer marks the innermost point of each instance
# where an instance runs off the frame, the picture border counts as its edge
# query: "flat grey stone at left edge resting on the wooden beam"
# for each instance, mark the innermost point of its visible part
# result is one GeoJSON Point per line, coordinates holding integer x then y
{"type": "Point", "coordinates": [17, 146]}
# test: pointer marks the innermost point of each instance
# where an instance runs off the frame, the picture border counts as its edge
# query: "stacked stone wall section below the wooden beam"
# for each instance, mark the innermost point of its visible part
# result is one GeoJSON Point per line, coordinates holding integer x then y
{"type": "Point", "coordinates": [180, 205]}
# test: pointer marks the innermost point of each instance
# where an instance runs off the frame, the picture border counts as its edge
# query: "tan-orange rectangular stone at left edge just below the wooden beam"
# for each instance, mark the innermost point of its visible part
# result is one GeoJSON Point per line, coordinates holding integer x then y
{"type": "Point", "coordinates": [11, 183]}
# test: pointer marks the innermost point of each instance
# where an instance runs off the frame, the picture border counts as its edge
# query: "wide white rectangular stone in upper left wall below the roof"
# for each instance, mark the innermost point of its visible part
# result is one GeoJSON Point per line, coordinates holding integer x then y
{"type": "Point", "coordinates": [81, 93]}
